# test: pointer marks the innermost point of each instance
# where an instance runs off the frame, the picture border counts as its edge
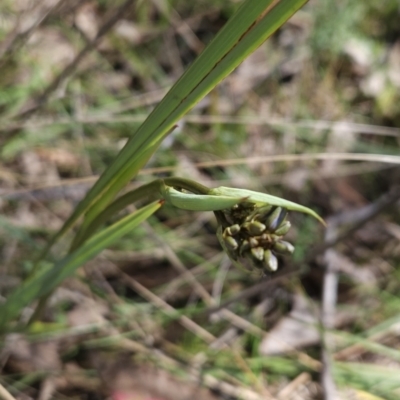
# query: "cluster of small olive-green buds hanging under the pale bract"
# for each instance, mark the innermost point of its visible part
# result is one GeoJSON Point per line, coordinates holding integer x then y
{"type": "Point", "coordinates": [255, 234]}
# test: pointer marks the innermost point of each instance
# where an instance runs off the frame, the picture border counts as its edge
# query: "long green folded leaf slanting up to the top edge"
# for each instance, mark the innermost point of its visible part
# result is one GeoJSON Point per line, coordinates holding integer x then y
{"type": "Point", "coordinates": [212, 64]}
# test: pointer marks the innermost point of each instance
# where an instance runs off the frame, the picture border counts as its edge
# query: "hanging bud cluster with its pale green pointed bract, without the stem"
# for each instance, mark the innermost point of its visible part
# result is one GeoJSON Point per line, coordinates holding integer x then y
{"type": "Point", "coordinates": [251, 224]}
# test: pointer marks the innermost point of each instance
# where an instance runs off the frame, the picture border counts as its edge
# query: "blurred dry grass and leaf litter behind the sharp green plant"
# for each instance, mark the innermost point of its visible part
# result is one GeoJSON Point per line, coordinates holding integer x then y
{"type": "Point", "coordinates": [312, 116]}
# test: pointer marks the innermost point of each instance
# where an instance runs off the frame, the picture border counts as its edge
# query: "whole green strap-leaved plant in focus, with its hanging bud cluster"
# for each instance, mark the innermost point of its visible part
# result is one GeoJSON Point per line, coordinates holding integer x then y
{"type": "Point", "coordinates": [251, 225]}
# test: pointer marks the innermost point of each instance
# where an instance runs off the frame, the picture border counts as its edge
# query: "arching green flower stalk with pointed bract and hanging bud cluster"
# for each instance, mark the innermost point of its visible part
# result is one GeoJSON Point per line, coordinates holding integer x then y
{"type": "Point", "coordinates": [251, 225]}
